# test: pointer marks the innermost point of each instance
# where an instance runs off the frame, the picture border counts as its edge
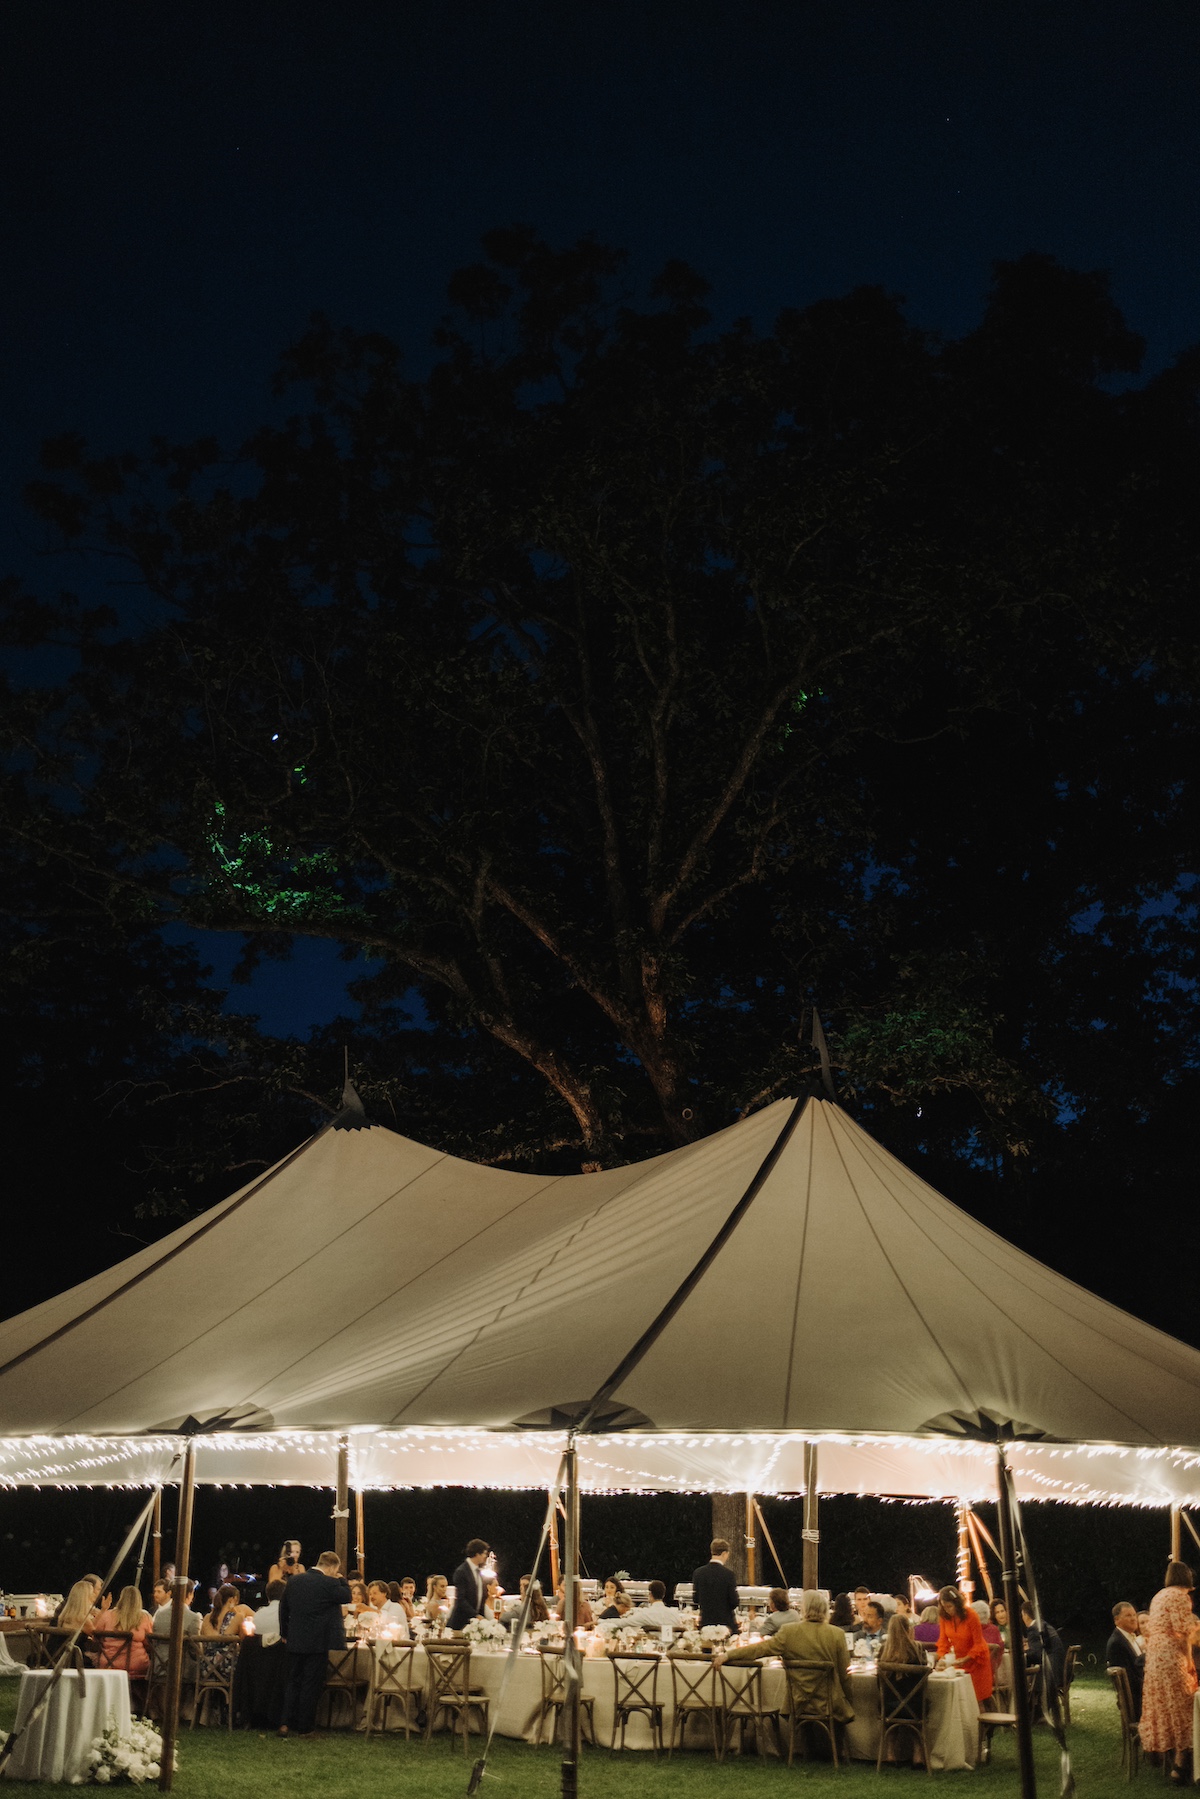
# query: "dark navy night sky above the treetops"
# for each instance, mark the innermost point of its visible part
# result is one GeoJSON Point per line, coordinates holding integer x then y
{"type": "Point", "coordinates": [184, 184]}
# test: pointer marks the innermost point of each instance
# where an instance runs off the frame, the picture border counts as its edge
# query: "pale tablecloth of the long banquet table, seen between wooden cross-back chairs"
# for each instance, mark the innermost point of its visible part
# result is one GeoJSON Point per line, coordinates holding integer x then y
{"type": "Point", "coordinates": [953, 1706]}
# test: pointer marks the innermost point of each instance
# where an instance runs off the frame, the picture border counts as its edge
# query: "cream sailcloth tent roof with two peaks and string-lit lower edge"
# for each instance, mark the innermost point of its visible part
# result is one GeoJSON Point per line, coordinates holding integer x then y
{"type": "Point", "coordinates": [452, 1318]}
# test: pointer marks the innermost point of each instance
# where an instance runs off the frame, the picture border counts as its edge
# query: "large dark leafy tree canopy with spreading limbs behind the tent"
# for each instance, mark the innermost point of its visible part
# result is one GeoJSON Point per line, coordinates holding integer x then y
{"type": "Point", "coordinates": [625, 686]}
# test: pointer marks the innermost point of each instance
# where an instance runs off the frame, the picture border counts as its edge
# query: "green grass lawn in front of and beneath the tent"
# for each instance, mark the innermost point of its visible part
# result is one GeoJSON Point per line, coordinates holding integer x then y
{"type": "Point", "coordinates": [220, 1766]}
